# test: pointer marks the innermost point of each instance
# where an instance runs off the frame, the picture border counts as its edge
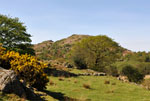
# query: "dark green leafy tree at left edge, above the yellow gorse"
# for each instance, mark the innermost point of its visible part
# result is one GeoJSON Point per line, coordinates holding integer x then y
{"type": "Point", "coordinates": [13, 35]}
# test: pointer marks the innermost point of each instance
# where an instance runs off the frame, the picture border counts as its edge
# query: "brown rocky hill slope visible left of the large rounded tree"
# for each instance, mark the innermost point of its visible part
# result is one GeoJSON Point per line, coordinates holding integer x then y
{"type": "Point", "coordinates": [48, 50]}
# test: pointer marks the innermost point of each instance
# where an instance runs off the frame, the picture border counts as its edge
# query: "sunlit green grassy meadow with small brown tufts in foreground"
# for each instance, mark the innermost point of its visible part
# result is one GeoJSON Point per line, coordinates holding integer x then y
{"type": "Point", "coordinates": [73, 88]}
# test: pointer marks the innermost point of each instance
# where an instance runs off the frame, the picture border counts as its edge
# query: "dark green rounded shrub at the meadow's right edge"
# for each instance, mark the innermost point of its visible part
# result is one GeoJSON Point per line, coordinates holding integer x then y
{"type": "Point", "coordinates": [132, 73]}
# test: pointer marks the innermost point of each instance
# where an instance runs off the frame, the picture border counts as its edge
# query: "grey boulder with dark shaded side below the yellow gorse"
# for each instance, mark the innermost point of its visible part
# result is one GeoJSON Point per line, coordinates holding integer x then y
{"type": "Point", "coordinates": [9, 83]}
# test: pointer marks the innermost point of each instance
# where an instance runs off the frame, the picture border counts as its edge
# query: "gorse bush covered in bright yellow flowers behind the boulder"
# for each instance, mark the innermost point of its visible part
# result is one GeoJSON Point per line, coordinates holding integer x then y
{"type": "Point", "coordinates": [27, 67]}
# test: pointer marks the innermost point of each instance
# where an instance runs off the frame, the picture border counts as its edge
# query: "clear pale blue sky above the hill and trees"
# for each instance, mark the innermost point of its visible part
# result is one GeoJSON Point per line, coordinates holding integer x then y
{"type": "Point", "coordinates": [126, 21]}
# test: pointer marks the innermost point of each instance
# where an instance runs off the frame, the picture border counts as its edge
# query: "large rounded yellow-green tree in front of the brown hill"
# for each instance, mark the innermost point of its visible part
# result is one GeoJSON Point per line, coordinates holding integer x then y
{"type": "Point", "coordinates": [95, 52]}
